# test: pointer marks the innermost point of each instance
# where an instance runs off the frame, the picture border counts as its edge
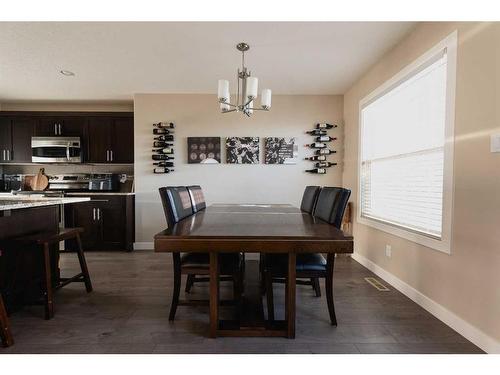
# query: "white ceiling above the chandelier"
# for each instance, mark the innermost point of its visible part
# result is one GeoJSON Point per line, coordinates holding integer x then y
{"type": "Point", "coordinates": [112, 61]}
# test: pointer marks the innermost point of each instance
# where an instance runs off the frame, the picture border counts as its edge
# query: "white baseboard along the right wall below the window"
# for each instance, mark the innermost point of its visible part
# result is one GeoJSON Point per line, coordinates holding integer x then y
{"type": "Point", "coordinates": [471, 333]}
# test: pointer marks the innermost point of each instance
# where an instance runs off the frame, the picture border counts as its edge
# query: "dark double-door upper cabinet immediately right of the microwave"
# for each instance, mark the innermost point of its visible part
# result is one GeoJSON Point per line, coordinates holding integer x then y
{"type": "Point", "coordinates": [111, 140]}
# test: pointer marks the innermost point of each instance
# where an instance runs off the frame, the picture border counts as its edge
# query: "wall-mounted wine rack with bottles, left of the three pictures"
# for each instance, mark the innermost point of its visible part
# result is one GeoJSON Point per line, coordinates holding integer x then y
{"type": "Point", "coordinates": [163, 147]}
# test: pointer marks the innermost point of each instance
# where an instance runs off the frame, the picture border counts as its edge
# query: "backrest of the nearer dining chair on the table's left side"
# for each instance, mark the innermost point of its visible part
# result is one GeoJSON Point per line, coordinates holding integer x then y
{"type": "Point", "coordinates": [176, 203]}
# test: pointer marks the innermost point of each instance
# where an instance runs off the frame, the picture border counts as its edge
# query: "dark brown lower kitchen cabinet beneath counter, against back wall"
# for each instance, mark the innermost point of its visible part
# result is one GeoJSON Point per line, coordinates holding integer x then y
{"type": "Point", "coordinates": [108, 221]}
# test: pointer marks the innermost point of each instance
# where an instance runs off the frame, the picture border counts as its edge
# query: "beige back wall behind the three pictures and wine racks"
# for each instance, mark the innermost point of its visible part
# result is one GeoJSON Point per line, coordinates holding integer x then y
{"type": "Point", "coordinates": [198, 115]}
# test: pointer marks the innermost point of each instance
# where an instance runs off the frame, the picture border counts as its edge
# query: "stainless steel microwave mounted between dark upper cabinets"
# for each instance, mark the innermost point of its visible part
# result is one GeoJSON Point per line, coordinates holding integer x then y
{"type": "Point", "coordinates": [56, 150]}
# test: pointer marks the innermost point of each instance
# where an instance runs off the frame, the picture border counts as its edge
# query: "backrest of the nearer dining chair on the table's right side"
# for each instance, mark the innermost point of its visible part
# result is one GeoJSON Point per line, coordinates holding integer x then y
{"type": "Point", "coordinates": [331, 205]}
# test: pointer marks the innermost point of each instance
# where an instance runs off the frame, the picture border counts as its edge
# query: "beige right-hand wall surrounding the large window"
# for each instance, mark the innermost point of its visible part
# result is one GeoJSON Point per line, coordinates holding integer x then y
{"type": "Point", "coordinates": [467, 282]}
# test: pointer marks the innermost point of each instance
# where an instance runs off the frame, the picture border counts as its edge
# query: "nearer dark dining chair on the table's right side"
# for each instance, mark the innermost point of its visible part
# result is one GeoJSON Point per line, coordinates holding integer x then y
{"type": "Point", "coordinates": [330, 207]}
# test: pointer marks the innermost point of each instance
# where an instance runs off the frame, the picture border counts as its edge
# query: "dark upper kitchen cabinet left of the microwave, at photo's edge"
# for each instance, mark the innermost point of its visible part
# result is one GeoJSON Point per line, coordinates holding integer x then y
{"type": "Point", "coordinates": [15, 139]}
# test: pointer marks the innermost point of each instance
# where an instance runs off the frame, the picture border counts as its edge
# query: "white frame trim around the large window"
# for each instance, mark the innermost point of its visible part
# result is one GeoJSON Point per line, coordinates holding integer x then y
{"type": "Point", "coordinates": [444, 243]}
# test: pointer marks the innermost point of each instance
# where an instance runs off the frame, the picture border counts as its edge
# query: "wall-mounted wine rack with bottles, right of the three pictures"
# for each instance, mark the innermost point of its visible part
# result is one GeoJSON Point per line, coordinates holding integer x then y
{"type": "Point", "coordinates": [320, 143]}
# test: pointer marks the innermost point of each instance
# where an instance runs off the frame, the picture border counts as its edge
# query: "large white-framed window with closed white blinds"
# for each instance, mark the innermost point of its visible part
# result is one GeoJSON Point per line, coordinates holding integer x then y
{"type": "Point", "coordinates": [406, 150]}
